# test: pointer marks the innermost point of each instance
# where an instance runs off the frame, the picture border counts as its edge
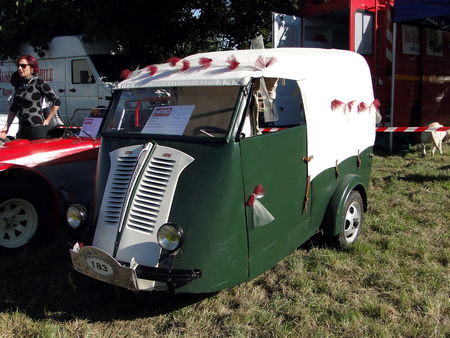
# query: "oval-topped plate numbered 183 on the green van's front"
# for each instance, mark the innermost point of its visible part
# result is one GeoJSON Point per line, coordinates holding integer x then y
{"type": "Point", "coordinates": [98, 264]}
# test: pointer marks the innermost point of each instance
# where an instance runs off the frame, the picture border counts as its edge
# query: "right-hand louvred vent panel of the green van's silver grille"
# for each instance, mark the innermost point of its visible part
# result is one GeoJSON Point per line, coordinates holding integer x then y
{"type": "Point", "coordinates": [149, 194]}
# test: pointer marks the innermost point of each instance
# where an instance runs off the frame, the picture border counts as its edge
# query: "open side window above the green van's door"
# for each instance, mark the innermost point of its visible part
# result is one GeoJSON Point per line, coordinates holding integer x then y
{"type": "Point", "coordinates": [276, 103]}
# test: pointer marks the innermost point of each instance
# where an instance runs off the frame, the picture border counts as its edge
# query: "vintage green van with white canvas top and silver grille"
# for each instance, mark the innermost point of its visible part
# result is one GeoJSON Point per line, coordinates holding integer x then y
{"type": "Point", "coordinates": [215, 167]}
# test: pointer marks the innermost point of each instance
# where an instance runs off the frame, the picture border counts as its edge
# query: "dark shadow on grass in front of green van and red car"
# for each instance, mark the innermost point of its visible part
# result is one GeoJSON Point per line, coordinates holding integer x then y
{"type": "Point", "coordinates": [41, 283]}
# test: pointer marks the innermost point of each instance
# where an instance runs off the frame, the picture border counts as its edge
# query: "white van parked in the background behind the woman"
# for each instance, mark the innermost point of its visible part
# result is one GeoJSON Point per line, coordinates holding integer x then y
{"type": "Point", "coordinates": [81, 73]}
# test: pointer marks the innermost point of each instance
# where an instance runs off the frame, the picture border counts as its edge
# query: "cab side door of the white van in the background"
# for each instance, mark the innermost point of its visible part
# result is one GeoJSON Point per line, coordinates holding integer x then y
{"type": "Point", "coordinates": [81, 86]}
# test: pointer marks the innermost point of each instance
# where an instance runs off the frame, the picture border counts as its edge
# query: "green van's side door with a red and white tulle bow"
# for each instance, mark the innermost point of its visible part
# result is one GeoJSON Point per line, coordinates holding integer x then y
{"type": "Point", "coordinates": [276, 159]}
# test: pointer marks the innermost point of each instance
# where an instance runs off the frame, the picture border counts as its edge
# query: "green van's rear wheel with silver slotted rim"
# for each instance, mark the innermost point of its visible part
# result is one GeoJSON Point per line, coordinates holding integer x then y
{"type": "Point", "coordinates": [352, 218]}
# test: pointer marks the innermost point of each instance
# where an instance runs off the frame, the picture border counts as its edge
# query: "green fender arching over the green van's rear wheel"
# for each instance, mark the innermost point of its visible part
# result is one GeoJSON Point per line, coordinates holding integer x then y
{"type": "Point", "coordinates": [346, 185]}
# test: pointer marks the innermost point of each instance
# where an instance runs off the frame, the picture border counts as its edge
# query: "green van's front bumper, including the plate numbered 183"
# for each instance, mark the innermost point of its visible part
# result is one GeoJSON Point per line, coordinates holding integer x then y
{"type": "Point", "coordinates": [98, 264]}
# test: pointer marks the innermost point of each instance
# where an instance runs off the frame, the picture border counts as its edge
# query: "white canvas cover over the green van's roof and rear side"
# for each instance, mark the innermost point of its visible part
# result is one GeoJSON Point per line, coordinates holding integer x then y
{"type": "Point", "coordinates": [336, 90]}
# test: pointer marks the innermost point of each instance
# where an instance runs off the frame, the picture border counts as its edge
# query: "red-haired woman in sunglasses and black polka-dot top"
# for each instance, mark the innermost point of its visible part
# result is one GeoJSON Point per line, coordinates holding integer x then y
{"type": "Point", "coordinates": [29, 93]}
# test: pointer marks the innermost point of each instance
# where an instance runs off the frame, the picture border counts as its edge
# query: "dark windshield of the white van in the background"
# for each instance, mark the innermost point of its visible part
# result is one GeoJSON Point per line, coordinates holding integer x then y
{"type": "Point", "coordinates": [109, 66]}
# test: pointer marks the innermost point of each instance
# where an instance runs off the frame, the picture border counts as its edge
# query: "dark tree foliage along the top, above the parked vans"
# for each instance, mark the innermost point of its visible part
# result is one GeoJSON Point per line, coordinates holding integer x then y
{"type": "Point", "coordinates": [148, 32]}
